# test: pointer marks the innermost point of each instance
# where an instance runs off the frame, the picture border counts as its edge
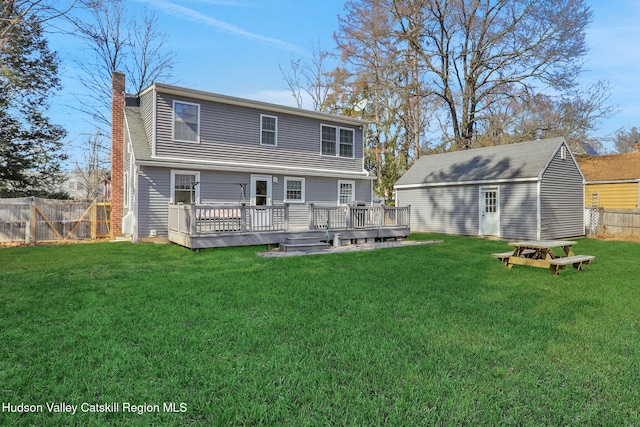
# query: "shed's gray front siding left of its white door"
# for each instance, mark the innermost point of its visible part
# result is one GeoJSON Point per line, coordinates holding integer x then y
{"type": "Point", "coordinates": [449, 210]}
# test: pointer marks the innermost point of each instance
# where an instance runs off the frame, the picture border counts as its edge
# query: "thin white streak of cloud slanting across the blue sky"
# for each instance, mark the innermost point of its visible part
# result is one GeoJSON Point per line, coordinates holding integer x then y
{"type": "Point", "coordinates": [195, 16]}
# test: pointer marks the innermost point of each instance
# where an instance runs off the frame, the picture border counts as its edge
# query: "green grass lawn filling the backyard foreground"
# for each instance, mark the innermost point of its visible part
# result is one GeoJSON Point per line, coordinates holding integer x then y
{"type": "Point", "coordinates": [420, 335]}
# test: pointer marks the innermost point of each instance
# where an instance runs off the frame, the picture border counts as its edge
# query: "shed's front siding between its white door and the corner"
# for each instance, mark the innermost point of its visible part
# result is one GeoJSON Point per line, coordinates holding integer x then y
{"type": "Point", "coordinates": [518, 211]}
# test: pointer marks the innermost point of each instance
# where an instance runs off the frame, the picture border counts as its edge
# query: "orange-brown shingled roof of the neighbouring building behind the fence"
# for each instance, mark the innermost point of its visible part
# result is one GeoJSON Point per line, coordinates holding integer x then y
{"type": "Point", "coordinates": [614, 167]}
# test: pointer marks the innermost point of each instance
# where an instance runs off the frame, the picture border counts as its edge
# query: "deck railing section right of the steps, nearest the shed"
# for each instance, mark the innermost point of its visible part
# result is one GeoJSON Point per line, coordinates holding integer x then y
{"type": "Point", "coordinates": [357, 217]}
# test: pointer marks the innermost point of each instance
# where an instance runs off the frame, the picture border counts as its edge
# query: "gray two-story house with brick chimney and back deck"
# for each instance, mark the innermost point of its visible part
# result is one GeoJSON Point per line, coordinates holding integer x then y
{"type": "Point", "coordinates": [208, 170]}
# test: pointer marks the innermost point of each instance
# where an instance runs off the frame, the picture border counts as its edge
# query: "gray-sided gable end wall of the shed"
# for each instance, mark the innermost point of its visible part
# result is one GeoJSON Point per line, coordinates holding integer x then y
{"type": "Point", "coordinates": [561, 199]}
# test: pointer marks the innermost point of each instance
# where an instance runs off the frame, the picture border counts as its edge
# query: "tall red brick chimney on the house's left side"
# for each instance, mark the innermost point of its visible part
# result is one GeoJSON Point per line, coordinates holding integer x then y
{"type": "Point", "coordinates": [117, 152]}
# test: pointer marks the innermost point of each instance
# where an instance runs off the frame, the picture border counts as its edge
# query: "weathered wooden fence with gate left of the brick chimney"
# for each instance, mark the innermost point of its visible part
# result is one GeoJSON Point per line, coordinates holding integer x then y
{"type": "Point", "coordinates": [31, 220]}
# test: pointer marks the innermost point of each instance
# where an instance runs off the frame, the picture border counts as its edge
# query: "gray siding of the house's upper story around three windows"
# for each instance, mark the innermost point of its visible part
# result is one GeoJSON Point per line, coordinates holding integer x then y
{"type": "Point", "coordinates": [231, 133]}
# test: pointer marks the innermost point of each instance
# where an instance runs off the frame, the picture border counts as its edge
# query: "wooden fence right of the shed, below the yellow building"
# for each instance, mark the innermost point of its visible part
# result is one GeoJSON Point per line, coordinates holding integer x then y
{"type": "Point", "coordinates": [614, 222]}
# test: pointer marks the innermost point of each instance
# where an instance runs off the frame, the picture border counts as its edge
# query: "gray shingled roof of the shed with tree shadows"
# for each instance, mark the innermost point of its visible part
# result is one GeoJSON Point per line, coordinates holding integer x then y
{"type": "Point", "coordinates": [521, 161]}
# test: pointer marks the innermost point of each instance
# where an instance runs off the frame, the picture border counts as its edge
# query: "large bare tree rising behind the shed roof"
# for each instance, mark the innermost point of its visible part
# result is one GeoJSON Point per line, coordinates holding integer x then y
{"type": "Point", "coordinates": [480, 52]}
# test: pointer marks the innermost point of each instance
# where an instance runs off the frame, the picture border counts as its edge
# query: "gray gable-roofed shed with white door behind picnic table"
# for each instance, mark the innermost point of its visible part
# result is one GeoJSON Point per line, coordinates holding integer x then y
{"type": "Point", "coordinates": [529, 190]}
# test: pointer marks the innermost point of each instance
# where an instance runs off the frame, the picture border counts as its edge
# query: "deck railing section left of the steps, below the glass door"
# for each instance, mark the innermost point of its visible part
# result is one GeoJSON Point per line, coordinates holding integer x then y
{"type": "Point", "coordinates": [213, 219]}
